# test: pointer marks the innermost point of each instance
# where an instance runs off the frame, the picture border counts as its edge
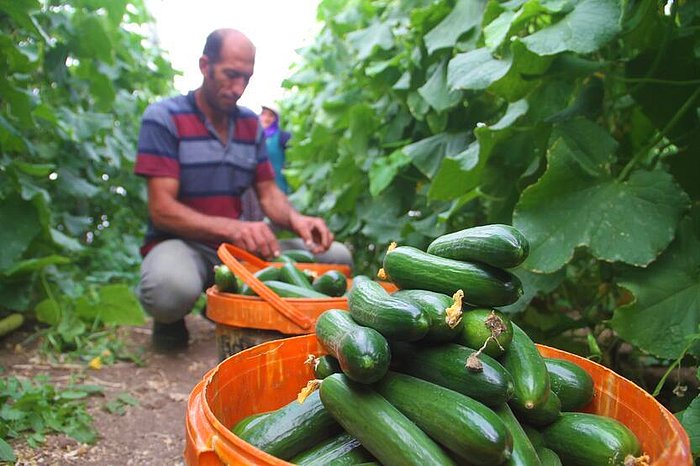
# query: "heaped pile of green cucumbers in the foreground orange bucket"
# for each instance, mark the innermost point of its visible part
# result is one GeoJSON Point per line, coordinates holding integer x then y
{"type": "Point", "coordinates": [408, 381]}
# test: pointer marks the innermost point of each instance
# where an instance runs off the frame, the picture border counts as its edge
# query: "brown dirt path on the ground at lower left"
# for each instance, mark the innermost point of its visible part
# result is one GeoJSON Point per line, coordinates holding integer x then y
{"type": "Point", "coordinates": [150, 433]}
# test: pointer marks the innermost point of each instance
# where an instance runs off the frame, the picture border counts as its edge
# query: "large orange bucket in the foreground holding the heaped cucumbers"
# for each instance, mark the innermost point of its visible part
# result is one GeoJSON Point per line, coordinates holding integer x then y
{"type": "Point", "coordinates": [270, 375]}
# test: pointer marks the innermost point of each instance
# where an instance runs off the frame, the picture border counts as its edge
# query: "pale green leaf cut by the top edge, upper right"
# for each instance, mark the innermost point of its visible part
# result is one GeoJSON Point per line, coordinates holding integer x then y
{"type": "Point", "coordinates": [591, 24]}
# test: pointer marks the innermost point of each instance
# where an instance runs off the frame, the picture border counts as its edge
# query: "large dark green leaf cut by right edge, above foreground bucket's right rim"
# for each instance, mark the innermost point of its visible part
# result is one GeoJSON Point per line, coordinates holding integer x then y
{"type": "Point", "coordinates": [667, 298]}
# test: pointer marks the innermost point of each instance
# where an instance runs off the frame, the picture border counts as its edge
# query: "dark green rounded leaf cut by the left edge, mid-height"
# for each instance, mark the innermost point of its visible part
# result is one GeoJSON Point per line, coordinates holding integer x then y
{"type": "Point", "coordinates": [22, 225]}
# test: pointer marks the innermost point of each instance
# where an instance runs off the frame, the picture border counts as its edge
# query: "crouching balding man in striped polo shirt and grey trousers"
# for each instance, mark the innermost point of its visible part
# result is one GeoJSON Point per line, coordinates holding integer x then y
{"type": "Point", "coordinates": [199, 152]}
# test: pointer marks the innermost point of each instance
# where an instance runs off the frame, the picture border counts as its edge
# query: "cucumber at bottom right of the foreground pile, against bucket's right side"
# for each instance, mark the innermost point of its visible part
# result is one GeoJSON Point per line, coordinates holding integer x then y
{"type": "Point", "coordinates": [581, 439]}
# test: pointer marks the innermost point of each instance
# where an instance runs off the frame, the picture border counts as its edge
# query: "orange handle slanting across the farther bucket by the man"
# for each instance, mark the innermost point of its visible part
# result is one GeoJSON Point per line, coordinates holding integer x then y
{"type": "Point", "coordinates": [228, 253]}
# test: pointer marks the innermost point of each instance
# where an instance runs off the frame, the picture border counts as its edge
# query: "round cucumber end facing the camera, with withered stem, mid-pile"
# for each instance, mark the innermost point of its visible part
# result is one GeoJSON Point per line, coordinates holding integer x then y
{"type": "Point", "coordinates": [478, 326]}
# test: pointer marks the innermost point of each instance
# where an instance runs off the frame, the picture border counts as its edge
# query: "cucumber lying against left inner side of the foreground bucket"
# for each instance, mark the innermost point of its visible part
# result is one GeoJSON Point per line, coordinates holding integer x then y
{"type": "Point", "coordinates": [293, 428]}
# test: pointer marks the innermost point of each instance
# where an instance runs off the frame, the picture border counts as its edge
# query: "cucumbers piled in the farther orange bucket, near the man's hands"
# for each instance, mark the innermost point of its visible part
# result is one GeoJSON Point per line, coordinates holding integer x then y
{"type": "Point", "coordinates": [288, 281]}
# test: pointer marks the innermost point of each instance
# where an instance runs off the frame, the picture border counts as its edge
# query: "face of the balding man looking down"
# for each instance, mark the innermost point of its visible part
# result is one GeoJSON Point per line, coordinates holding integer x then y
{"type": "Point", "coordinates": [225, 80]}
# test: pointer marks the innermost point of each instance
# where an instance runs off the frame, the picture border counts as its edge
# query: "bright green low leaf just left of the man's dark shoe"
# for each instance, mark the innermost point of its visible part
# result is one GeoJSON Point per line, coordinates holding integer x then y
{"type": "Point", "coordinates": [116, 304]}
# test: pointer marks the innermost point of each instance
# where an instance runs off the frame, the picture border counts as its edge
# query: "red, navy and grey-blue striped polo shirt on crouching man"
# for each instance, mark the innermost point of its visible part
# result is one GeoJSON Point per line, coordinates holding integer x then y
{"type": "Point", "coordinates": [177, 141]}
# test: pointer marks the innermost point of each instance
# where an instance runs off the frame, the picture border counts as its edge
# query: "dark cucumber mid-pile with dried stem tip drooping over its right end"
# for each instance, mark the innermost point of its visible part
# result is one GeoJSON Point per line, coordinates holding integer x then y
{"type": "Point", "coordinates": [445, 365]}
